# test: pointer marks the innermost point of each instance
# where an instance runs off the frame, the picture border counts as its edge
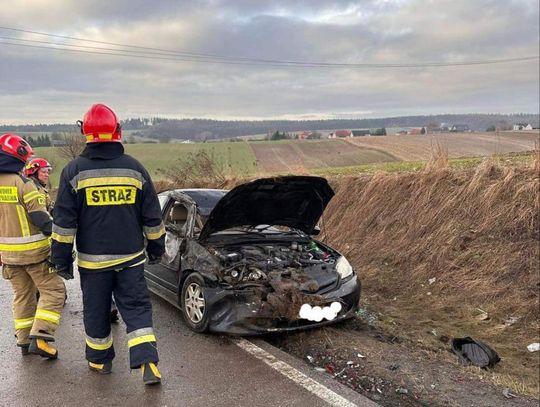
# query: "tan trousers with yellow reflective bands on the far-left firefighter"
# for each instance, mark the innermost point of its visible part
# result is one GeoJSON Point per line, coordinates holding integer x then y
{"type": "Point", "coordinates": [35, 318]}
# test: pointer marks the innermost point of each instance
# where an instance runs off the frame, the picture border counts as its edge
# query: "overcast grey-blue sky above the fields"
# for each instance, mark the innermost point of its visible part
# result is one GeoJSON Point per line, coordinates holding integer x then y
{"type": "Point", "coordinates": [47, 86]}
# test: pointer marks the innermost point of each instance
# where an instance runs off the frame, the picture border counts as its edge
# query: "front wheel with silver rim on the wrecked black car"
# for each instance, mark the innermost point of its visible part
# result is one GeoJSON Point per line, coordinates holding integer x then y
{"type": "Point", "coordinates": [193, 303]}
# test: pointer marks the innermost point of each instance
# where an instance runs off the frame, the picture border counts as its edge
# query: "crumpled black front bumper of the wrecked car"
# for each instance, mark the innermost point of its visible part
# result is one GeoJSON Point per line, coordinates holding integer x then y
{"type": "Point", "coordinates": [242, 312]}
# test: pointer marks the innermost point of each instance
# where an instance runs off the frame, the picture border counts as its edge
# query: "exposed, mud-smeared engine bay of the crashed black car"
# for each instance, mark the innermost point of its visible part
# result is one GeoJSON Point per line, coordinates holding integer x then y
{"type": "Point", "coordinates": [285, 275]}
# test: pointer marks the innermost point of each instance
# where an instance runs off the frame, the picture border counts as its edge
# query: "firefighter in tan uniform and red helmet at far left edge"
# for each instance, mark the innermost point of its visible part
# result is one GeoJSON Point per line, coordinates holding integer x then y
{"type": "Point", "coordinates": [24, 251]}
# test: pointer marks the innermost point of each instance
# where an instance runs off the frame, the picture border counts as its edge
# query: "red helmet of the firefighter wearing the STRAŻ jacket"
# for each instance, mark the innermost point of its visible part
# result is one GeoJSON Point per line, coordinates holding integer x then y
{"type": "Point", "coordinates": [100, 125]}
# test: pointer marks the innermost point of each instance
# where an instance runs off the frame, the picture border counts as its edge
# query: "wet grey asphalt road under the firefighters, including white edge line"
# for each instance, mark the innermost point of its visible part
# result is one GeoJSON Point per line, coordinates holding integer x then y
{"type": "Point", "coordinates": [198, 370]}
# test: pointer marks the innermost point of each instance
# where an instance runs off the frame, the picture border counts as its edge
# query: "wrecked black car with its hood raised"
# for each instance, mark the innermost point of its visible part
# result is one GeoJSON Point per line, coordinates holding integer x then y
{"type": "Point", "coordinates": [245, 261]}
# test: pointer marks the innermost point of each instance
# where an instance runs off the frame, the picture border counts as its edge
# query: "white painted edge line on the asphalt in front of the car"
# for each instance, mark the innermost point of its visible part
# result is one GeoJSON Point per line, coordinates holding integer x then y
{"type": "Point", "coordinates": [293, 374]}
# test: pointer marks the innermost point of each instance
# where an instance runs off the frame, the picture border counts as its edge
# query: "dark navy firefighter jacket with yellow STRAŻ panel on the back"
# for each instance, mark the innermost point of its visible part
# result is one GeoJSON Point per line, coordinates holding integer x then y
{"type": "Point", "coordinates": [107, 204]}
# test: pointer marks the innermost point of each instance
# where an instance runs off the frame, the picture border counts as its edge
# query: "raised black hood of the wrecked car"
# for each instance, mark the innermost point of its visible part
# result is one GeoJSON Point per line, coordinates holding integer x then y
{"type": "Point", "coordinates": [294, 201]}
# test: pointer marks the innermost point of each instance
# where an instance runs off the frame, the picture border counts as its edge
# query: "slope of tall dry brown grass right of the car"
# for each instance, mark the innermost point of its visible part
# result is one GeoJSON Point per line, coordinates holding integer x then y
{"type": "Point", "coordinates": [445, 254]}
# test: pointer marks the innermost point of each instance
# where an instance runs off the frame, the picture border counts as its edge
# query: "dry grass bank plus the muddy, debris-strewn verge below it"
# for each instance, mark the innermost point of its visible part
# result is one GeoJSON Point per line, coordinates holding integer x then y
{"type": "Point", "coordinates": [441, 253]}
